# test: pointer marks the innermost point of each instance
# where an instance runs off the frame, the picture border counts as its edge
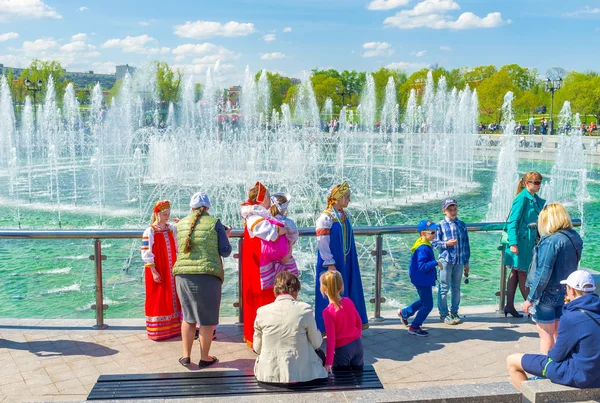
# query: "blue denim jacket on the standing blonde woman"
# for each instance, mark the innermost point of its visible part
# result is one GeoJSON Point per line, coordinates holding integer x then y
{"type": "Point", "coordinates": [554, 258]}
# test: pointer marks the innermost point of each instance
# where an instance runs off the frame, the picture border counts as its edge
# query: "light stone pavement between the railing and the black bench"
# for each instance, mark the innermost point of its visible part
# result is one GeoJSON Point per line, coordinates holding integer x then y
{"type": "Point", "coordinates": [60, 360]}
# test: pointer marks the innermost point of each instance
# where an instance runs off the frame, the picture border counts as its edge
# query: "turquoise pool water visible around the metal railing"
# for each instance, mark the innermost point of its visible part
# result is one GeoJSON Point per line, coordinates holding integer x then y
{"type": "Point", "coordinates": [55, 278]}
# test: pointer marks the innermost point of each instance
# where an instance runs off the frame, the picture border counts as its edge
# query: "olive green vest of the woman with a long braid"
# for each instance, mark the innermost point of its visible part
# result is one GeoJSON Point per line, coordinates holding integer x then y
{"type": "Point", "coordinates": [204, 257]}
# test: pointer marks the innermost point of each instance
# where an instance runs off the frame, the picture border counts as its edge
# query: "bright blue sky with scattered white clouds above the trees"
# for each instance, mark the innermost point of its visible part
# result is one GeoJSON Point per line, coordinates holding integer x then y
{"type": "Point", "coordinates": [291, 36]}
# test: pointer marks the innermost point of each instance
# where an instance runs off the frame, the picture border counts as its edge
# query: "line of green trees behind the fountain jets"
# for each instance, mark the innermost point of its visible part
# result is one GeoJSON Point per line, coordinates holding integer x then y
{"type": "Point", "coordinates": [582, 89]}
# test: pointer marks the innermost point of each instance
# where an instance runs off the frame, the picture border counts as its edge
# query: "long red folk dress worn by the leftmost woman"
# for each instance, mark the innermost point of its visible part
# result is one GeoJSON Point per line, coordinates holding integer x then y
{"type": "Point", "coordinates": [163, 310]}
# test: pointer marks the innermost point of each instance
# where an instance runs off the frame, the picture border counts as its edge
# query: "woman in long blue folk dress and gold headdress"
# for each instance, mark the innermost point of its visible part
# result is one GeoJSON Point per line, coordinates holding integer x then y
{"type": "Point", "coordinates": [337, 251]}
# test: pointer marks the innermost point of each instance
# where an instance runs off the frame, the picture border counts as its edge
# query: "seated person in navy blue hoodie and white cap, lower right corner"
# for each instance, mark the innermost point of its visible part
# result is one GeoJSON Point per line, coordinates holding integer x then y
{"type": "Point", "coordinates": [575, 358]}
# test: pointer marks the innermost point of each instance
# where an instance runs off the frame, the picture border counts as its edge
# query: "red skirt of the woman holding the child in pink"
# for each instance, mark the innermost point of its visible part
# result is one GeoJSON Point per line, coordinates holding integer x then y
{"type": "Point", "coordinates": [253, 297]}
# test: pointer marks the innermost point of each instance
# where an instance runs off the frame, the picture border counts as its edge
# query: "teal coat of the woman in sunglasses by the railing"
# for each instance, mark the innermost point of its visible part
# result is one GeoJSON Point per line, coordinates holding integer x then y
{"type": "Point", "coordinates": [524, 211]}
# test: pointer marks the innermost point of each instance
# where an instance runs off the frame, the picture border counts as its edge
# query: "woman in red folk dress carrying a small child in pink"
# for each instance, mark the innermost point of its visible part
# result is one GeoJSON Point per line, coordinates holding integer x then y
{"type": "Point", "coordinates": [257, 228]}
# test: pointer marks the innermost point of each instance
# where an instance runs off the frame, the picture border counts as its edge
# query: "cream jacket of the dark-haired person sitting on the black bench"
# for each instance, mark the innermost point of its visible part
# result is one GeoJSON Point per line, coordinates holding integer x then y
{"type": "Point", "coordinates": [285, 338]}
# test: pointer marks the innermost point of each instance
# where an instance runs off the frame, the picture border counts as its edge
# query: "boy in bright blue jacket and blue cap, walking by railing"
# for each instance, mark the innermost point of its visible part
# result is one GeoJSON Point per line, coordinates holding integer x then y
{"type": "Point", "coordinates": [423, 274]}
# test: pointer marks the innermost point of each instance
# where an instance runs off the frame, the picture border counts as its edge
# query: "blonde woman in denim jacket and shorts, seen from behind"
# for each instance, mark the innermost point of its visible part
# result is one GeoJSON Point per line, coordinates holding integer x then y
{"type": "Point", "coordinates": [554, 258]}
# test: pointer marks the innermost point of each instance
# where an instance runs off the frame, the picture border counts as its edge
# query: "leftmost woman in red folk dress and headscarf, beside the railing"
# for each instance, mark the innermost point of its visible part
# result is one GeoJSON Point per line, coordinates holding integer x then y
{"type": "Point", "coordinates": [159, 252]}
